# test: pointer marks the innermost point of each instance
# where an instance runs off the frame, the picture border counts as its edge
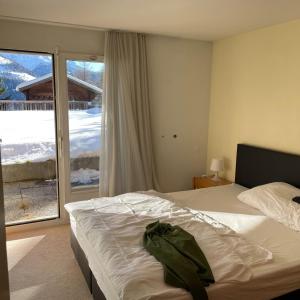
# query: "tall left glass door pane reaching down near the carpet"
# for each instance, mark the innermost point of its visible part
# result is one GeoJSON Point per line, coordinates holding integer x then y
{"type": "Point", "coordinates": [28, 134]}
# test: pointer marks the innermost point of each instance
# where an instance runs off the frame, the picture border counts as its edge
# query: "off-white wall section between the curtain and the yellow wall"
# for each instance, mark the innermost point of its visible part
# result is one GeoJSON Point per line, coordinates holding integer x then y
{"type": "Point", "coordinates": [179, 75]}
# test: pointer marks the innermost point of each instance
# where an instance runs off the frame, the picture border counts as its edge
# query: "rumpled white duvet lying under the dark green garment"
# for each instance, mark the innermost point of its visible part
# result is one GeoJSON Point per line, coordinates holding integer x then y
{"type": "Point", "coordinates": [114, 228]}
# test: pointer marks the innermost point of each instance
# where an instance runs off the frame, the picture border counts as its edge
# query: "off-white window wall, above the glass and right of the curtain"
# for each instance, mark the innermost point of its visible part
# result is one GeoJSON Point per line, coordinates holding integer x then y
{"type": "Point", "coordinates": [179, 73]}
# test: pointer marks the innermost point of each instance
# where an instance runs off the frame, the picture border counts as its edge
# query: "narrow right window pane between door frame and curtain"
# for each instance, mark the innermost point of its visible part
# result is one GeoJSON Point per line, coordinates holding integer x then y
{"type": "Point", "coordinates": [85, 103]}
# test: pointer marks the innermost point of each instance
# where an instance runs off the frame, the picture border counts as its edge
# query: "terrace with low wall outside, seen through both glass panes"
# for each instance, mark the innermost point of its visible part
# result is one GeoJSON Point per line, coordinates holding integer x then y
{"type": "Point", "coordinates": [30, 188]}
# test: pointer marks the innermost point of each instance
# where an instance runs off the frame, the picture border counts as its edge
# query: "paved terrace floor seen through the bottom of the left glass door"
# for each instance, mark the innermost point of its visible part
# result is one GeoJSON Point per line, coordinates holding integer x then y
{"type": "Point", "coordinates": [30, 200]}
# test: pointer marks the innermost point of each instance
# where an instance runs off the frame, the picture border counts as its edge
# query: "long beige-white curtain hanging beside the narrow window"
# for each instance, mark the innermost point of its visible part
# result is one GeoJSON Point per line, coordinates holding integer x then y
{"type": "Point", "coordinates": [126, 159]}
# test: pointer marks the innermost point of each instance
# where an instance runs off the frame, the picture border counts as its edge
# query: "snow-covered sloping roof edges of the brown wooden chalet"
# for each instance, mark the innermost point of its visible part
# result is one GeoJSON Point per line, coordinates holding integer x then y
{"type": "Point", "coordinates": [28, 84]}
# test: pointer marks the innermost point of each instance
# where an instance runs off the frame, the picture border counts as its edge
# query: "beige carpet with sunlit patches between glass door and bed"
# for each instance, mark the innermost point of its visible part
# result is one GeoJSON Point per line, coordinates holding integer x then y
{"type": "Point", "coordinates": [42, 266]}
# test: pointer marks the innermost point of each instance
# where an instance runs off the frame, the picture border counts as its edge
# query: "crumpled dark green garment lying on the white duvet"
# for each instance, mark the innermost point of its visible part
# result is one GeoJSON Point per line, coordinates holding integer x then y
{"type": "Point", "coordinates": [184, 264]}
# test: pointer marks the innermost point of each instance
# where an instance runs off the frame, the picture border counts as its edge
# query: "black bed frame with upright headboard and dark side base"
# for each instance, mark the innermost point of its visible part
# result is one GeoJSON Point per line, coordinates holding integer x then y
{"type": "Point", "coordinates": [254, 166]}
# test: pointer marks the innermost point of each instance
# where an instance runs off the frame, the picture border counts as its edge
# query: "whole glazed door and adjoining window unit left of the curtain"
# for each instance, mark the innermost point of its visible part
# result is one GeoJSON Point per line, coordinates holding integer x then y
{"type": "Point", "coordinates": [36, 130]}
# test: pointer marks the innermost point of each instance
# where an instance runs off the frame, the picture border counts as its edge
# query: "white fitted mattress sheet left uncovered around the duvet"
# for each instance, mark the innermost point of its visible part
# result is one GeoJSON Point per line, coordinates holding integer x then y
{"type": "Point", "coordinates": [273, 279]}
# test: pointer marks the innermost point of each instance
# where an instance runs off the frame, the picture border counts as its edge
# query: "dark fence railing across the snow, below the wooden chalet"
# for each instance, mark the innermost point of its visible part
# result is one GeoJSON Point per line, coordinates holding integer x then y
{"type": "Point", "coordinates": [7, 105]}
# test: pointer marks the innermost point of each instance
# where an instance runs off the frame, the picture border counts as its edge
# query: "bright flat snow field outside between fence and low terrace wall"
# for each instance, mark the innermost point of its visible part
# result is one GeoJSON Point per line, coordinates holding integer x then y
{"type": "Point", "coordinates": [30, 135]}
